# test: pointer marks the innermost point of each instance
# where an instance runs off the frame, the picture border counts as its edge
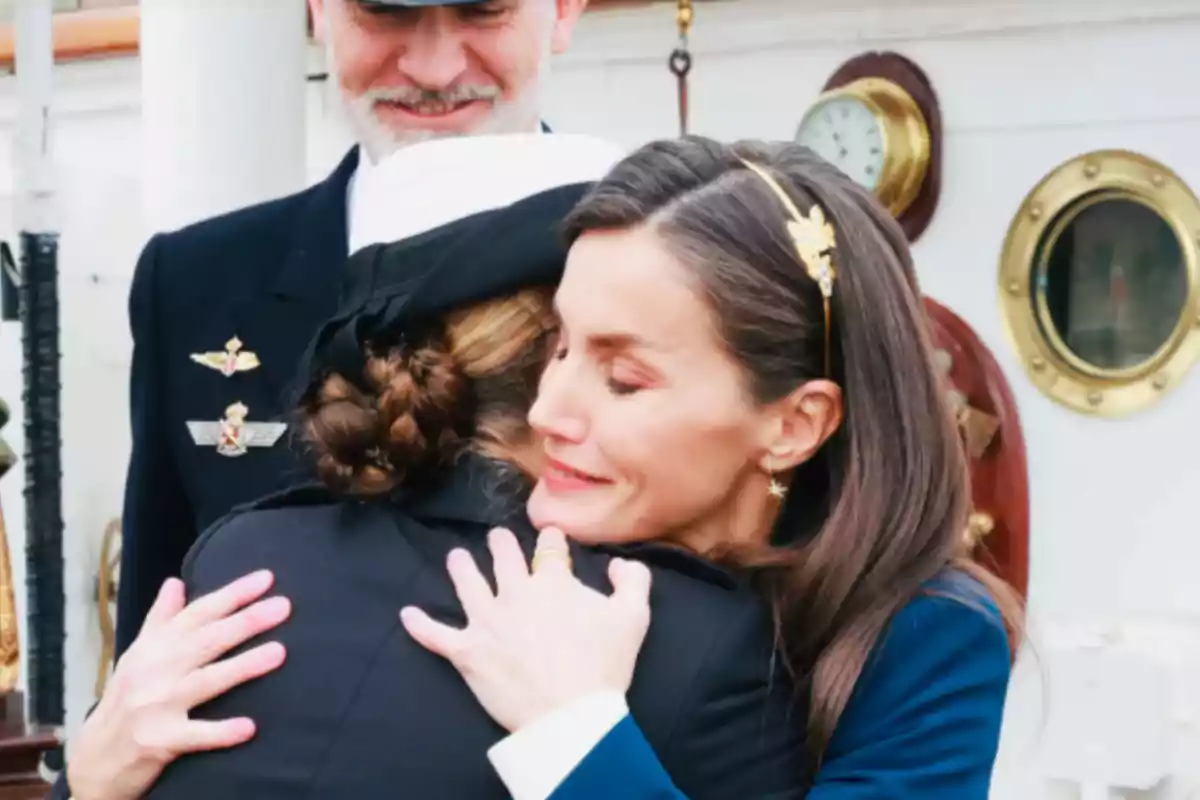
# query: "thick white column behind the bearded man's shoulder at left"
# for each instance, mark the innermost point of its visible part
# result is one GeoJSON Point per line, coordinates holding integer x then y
{"type": "Point", "coordinates": [223, 106]}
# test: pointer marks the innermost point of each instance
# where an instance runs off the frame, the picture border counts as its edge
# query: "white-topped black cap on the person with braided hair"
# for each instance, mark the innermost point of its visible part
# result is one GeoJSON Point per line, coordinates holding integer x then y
{"type": "Point", "coordinates": [447, 225]}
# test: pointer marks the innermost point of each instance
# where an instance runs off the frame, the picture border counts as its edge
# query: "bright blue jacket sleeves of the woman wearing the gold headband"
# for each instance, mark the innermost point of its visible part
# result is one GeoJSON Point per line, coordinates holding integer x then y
{"type": "Point", "coordinates": [923, 724]}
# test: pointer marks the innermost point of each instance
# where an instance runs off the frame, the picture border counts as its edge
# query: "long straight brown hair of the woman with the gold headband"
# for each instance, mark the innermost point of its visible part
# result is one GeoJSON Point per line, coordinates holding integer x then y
{"type": "Point", "coordinates": [881, 510]}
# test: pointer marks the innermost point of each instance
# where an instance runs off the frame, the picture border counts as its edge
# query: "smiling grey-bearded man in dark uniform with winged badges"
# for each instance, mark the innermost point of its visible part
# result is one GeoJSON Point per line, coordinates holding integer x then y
{"type": "Point", "coordinates": [223, 310]}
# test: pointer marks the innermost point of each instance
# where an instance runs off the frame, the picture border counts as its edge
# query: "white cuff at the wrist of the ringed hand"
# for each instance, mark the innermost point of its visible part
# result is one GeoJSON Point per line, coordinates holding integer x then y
{"type": "Point", "coordinates": [535, 761]}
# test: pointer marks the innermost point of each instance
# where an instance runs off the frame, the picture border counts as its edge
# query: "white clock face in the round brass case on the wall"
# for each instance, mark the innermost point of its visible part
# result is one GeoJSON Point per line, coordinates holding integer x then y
{"type": "Point", "coordinates": [848, 135]}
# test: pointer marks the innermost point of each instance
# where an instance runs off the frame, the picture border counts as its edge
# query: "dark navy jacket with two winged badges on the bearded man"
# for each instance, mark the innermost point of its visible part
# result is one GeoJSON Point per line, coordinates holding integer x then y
{"type": "Point", "coordinates": [268, 275]}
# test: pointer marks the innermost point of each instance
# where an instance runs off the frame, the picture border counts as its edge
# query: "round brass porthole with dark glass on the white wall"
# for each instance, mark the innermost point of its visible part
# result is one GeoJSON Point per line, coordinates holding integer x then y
{"type": "Point", "coordinates": [1100, 284]}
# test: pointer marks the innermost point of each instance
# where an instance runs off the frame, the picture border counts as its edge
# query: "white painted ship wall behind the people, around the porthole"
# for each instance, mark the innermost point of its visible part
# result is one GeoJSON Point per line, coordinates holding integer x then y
{"type": "Point", "coordinates": [1024, 87]}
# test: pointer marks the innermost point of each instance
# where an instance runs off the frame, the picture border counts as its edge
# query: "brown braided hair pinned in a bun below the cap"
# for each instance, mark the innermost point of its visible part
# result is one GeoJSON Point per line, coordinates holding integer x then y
{"type": "Point", "coordinates": [466, 386]}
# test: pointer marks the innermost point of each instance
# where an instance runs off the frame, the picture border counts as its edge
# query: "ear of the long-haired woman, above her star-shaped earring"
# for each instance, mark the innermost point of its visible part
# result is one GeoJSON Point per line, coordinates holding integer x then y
{"type": "Point", "coordinates": [800, 424]}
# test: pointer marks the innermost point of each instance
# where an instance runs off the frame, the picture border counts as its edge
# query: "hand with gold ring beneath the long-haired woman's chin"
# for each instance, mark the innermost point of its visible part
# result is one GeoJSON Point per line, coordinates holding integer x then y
{"type": "Point", "coordinates": [543, 639]}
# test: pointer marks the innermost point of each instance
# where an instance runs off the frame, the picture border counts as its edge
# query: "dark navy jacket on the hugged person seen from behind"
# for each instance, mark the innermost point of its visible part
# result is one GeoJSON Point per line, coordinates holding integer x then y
{"type": "Point", "coordinates": [361, 711]}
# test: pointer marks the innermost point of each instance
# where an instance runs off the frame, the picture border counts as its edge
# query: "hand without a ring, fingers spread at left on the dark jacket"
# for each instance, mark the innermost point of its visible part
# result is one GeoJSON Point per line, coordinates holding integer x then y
{"type": "Point", "coordinates": [142, 723]}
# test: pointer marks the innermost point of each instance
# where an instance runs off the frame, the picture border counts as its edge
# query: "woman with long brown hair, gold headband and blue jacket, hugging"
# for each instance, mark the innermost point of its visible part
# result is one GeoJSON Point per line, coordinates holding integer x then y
{"type": "Point", "coordinates": [743, 371]}
